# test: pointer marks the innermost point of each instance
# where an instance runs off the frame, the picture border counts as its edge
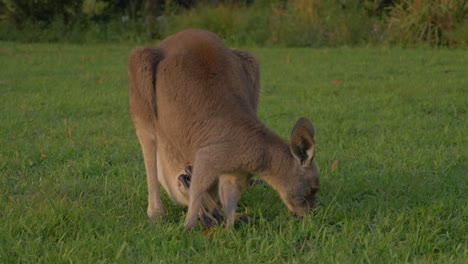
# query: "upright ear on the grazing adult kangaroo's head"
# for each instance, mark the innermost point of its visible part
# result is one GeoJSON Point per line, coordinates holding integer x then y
{"type": "Point", "coordinates": [302, 143]}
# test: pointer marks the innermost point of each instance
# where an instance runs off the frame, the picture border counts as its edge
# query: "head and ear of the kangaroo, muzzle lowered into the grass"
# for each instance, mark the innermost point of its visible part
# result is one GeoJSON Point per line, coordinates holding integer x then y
{"type": "Point", "coordinates": [302, 178]}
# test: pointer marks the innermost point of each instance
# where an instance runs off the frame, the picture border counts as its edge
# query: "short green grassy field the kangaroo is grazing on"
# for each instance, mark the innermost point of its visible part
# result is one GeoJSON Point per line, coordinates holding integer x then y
{"type": "Point", "coordinates": [72, 181]}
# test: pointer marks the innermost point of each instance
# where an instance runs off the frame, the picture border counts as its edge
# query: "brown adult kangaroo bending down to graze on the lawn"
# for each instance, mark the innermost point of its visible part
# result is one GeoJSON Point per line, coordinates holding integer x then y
{"type": "Point", "coordinates": [193, 101]}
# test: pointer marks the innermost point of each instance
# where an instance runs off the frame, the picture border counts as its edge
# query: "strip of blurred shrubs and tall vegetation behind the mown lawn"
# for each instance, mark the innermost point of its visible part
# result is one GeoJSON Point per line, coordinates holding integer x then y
{"type": "Point", "coordinates": [311, 23]}
